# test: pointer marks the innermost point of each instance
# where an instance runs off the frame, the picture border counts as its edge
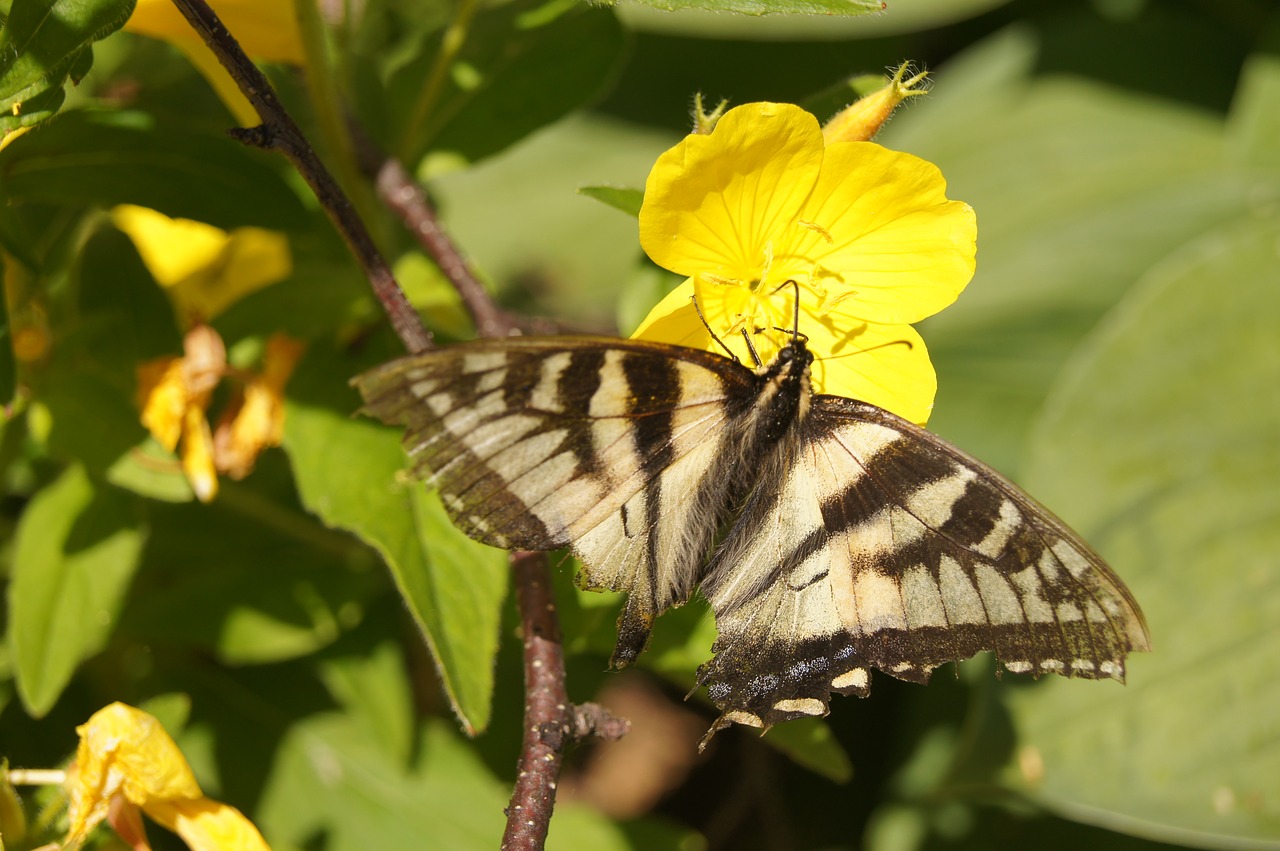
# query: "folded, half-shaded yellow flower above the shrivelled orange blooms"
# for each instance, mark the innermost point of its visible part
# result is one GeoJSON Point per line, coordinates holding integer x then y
{"type": "Point", "coordinates": [204, 269]}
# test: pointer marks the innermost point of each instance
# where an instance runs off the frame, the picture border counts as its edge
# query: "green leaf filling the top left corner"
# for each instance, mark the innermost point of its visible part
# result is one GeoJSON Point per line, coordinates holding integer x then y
{"type": "Point", "coordinates": [43, 44]}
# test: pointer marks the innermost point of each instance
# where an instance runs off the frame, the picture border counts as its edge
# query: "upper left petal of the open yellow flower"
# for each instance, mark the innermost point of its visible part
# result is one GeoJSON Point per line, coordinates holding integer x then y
{"type": "Point", "coordinates": [719, 203]}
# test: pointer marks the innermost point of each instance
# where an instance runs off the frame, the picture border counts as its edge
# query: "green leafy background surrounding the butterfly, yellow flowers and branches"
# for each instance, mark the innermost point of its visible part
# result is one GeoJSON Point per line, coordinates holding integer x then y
{"type": "Point", "coordinates": [1117, 353]}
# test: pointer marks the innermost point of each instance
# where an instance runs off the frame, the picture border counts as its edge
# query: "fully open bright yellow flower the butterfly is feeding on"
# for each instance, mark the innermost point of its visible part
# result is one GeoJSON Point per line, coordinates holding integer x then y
{"type": "Point", "coordinates": [867, 235]}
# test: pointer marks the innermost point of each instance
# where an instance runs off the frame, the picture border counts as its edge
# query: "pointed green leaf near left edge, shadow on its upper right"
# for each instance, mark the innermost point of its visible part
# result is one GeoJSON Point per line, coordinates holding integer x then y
{"type": "Point", "coordinates": [76, 551]}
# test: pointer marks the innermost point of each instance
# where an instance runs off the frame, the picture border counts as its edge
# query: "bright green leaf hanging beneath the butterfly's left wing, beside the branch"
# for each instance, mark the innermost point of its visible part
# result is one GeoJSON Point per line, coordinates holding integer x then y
{"type": "Point", "coordinates": [350, 473]}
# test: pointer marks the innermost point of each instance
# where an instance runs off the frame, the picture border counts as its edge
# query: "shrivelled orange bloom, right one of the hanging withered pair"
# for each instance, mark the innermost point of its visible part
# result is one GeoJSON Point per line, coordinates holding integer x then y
{"type": "Point", "coordinates": [257, 420]}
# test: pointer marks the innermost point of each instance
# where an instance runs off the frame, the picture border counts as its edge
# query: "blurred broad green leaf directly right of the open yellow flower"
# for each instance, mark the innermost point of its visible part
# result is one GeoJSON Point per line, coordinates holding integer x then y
{"type": "Point", "coordinates": [1080, 189]}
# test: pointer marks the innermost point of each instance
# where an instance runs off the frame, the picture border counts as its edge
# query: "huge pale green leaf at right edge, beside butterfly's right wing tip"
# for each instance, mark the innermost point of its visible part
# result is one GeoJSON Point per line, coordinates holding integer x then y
{"type": "Point", "coordinates": [1162, 446]}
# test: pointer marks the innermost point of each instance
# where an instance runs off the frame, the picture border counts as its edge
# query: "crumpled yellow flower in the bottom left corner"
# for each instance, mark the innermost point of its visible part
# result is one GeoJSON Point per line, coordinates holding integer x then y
{"type": "Point", "coordinates": [127, 762]}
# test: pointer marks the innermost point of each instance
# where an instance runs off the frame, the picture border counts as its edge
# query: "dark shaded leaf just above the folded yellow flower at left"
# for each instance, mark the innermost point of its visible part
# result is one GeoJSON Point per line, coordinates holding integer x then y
{"type": "Point", "coordinates": [108, 158]}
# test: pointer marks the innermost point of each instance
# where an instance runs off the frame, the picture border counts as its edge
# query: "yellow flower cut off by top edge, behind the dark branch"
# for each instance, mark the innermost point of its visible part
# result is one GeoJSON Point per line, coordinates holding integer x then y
{"type": "Point", "coordinates": [268, 30]}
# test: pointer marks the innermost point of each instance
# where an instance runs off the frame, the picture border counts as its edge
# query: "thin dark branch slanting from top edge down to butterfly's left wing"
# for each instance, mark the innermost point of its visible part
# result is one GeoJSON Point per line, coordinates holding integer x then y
{"type": "Point", "coordinates": [281, 134]}
